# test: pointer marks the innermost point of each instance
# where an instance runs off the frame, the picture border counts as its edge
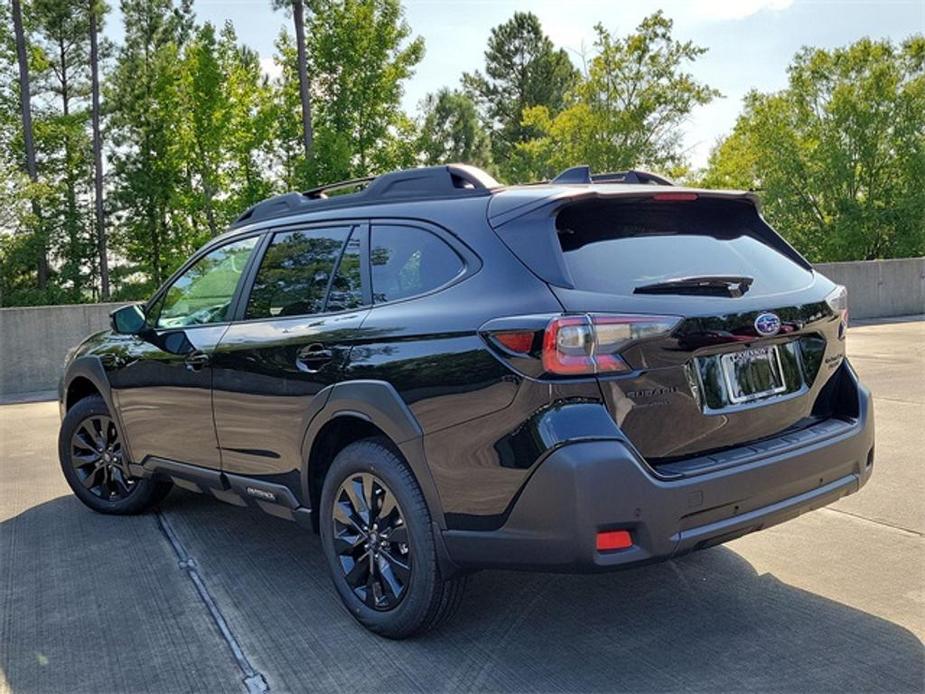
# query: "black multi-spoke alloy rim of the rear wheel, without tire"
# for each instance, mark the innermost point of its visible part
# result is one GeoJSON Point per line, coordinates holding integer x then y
{"type": "Point", "coordinates": [371, 541]}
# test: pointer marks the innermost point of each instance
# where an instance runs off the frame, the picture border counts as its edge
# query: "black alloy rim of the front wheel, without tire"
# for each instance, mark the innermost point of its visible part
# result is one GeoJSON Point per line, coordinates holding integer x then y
{"type": "Point", "coordinates": [96, 454]}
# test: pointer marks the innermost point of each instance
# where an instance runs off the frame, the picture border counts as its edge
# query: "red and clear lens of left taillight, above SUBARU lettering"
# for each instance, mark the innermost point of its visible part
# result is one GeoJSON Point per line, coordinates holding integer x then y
{"type": "Point", "coordinates": [591, 343]}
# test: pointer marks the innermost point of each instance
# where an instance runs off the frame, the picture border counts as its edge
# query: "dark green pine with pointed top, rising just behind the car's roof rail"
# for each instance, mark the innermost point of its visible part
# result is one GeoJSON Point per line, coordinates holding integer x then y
{"type": "Point", "coordinates": [523, 69]}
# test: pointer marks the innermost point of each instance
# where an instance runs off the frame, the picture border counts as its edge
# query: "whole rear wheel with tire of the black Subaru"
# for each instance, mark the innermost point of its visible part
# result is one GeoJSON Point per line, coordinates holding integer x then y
{"type": "Point", "coordinates": [425, 599]}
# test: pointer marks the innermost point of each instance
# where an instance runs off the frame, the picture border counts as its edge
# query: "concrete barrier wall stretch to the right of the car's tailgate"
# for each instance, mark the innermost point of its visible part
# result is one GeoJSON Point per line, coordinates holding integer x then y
{"type": "Point", "coordinates": [881, 288]}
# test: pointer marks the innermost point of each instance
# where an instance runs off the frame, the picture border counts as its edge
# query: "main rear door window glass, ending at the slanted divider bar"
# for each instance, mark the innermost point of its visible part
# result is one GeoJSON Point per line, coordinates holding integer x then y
{"type": "Point", "coordinates": [294, 273]}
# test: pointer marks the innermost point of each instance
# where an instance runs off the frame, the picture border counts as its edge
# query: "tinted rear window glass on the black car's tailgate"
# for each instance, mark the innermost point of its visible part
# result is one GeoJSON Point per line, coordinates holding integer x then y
{"type": "Point", "coordinates": [615, 247]}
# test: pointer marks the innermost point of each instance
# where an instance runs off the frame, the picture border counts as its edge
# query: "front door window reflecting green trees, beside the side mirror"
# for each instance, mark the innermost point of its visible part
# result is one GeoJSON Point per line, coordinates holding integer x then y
{"type": "Point", "coordinates": [204, 292]}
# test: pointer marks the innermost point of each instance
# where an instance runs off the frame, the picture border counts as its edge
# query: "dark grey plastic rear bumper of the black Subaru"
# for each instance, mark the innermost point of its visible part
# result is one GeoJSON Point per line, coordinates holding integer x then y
{"type": "Point", "coordinates": [590, 486]}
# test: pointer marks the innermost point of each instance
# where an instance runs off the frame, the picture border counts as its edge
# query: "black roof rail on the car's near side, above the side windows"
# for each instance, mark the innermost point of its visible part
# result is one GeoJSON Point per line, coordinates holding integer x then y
{"type": "Point", "coordinates": [421, 183]}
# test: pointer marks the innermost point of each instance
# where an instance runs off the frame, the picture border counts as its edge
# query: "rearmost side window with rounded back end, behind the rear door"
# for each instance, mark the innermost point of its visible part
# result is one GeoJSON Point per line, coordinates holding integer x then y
{"type": "Point", "coordinates": [406, 261]}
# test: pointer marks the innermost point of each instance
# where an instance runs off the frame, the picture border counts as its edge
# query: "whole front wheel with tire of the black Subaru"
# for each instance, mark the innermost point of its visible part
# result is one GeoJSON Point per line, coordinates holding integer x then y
{"type": "Point", "coordinates": [99, 479]}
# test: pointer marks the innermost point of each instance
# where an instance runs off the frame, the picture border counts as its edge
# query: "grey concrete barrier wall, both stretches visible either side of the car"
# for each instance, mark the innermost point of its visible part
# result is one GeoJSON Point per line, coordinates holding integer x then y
{"type": "Point", "coordinates": [33, 341]}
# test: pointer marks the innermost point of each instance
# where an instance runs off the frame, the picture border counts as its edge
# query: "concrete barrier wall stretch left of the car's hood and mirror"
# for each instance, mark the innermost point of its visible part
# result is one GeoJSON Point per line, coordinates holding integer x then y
{"type": "Point", "coordinates": [34, 340]}
